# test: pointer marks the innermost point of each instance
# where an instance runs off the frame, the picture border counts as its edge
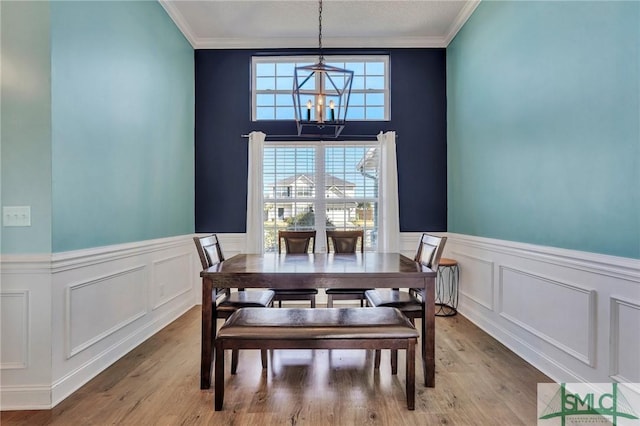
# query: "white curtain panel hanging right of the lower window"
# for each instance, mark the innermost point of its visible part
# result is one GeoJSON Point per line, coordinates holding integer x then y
{"type": "Point", "coordinates": [388, 216]}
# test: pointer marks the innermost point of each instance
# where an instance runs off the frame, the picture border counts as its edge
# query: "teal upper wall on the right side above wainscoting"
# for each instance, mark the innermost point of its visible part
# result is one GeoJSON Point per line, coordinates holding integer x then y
{"type": "Point", "coordinates": [543, 125]}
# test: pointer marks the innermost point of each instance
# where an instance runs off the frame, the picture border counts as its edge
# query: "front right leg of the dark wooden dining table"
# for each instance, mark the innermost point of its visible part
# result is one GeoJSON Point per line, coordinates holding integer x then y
{"type": "Point", "coordinates": [429, 333]}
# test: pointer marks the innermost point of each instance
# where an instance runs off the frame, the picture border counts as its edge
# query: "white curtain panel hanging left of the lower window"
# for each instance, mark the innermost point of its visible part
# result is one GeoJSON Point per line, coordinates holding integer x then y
{"type": "Point", "coordinates": [255, 206]}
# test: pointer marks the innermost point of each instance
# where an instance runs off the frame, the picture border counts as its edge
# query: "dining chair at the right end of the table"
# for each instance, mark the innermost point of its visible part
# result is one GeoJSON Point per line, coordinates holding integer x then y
{"type": "Point", "coordinates": [408, 302]}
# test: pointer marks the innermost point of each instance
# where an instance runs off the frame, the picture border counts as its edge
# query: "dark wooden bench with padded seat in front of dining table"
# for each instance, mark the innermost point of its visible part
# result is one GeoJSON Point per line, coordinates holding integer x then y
{"type": "Point", "coordinates": [307, 328]}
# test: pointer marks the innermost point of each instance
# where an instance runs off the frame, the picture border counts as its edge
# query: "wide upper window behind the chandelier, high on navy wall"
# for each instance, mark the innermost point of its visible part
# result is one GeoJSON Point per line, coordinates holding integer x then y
{"type": "Point", "coordinates": [272, 84]}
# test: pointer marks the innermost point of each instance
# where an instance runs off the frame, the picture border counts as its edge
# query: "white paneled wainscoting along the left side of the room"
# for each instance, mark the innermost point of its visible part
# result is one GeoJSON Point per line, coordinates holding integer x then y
{"type": "Point", "coordinates": [67, 317]}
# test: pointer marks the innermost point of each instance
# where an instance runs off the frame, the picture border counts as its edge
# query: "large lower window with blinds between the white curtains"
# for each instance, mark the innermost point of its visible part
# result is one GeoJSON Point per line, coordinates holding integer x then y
{"type": "Point", "coordinates": [320, 186]}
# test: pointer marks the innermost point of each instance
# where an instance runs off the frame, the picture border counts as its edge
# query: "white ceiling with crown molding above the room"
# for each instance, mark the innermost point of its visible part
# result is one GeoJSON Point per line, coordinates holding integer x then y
{"type": "Point", "coordinates": [237, 24]}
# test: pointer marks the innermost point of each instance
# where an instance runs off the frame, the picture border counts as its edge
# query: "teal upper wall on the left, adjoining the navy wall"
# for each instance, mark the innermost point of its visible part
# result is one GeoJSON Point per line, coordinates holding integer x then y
{"type": "Point", "coordinates": [122, 85]}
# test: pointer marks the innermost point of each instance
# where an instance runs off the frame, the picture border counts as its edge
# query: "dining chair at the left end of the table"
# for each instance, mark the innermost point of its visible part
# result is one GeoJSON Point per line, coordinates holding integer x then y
{"type": "Point", "coordinates": [227, 301]}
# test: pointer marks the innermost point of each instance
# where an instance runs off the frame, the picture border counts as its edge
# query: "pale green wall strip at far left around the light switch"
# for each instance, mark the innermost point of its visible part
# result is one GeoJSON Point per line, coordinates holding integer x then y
{"type": "Point", "coordinates": [25, 123]}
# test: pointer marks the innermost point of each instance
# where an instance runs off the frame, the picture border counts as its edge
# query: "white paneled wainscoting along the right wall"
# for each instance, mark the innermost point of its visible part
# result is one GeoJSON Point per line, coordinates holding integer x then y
{"type": "Point", "coordinates": [573, 315]}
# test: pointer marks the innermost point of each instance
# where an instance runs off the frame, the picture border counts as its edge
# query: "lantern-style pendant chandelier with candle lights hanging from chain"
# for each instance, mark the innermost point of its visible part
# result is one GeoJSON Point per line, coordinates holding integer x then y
{"type": "Point", "coordinates": [321, 95]}
